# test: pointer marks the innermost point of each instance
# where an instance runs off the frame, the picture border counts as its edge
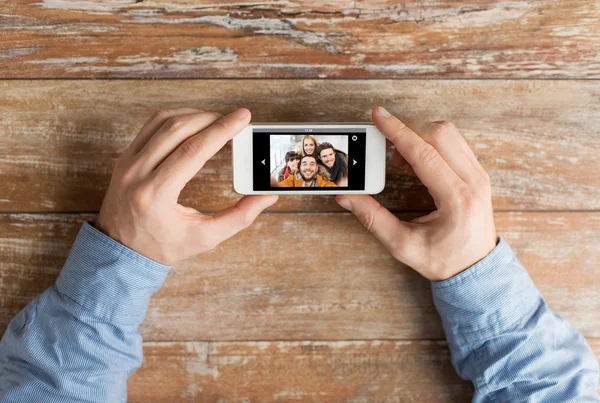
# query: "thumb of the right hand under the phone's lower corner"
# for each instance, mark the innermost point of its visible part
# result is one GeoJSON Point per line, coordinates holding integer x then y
{"type": "Point", "coordinates": [390, 231]}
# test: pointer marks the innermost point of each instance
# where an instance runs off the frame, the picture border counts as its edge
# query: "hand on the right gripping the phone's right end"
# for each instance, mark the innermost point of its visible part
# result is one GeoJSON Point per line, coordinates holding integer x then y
{"type": "Point", "coordinates": [461, 231]}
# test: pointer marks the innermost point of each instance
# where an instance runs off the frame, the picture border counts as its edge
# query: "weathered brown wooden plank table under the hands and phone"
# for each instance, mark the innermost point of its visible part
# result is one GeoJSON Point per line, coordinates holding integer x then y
{"type": "Point", "coordinates": [256, 320]}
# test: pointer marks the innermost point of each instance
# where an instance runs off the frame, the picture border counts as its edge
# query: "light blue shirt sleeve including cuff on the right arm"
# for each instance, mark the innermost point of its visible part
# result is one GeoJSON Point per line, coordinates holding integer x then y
{"type": "Point", "coordinates": [505, 339]}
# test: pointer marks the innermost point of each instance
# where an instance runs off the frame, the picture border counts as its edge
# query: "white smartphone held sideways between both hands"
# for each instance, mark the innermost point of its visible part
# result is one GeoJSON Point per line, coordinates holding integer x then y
{"type": "Point", "coordinates": [309, 158]}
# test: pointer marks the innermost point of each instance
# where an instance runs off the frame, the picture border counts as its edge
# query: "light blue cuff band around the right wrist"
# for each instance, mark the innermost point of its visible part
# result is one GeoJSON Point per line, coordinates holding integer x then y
{"type": "Point", "coordinates": [487, 299]}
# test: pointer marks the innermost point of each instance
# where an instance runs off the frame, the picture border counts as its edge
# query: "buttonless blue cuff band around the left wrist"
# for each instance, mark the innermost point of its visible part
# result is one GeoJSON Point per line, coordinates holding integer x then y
{"type": "Point", "coordinates": [108, 279]}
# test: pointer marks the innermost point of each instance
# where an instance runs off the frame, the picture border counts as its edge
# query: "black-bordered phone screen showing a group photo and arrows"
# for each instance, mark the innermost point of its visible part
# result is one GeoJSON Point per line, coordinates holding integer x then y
{"type": "Point", "coordinates": [307, 159]}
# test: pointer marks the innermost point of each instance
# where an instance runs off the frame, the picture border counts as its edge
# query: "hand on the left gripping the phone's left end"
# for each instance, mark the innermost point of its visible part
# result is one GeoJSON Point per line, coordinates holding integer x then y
{"type": "Point", "coordinates": [140, 209]}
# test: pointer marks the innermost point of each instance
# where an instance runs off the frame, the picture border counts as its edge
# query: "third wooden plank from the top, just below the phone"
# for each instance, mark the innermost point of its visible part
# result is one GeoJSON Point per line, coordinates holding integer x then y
{"type": "Point", "coordinates": [310, 276]}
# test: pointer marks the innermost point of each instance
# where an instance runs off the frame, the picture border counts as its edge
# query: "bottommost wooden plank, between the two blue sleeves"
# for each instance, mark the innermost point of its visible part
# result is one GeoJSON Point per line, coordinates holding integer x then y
{"type": "Point", "coordinates": [355, 371]}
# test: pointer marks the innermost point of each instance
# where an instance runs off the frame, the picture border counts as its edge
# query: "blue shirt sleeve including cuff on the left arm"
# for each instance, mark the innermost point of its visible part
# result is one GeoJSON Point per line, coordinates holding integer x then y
{"type": "Point", "coordinates": [79, 340]}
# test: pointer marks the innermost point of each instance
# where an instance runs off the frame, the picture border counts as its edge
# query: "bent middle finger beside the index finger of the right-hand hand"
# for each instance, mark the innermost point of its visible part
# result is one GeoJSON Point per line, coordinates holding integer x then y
{"type": "Point", "coordinates": [451, 145]}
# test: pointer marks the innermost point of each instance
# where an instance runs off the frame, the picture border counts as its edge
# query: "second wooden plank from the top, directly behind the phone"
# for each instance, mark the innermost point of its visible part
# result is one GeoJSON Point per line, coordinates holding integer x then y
{"type": "Point", "coordinates": [539, 140]}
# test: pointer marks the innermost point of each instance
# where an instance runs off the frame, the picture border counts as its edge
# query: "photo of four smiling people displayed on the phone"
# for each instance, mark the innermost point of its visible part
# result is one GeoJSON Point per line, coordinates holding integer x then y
{"type": "Point", "coordinates": [298, 160]}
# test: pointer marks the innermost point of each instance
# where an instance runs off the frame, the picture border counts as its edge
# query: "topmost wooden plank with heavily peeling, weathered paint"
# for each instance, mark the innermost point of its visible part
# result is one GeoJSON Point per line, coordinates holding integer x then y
{"type": "Point", "coordinates": [293, 39]}
